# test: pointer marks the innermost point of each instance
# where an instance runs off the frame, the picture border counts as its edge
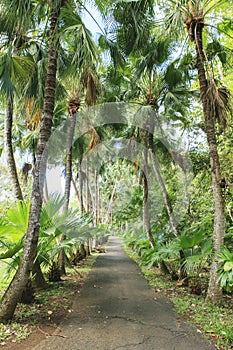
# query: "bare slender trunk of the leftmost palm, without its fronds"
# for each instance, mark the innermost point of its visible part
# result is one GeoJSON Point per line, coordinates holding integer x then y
{"type": "Point", "coordinates": [9, 150]}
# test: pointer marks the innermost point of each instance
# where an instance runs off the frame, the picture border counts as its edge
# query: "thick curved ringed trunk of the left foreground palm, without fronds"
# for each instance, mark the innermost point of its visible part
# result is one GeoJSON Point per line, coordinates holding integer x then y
{"type": "Point", "coordinates": [15, 289]}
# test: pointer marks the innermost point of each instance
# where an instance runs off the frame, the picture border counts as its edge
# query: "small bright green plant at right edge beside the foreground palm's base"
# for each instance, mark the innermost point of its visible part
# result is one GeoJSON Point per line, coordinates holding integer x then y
{"type": "Point", "coordinates": [225, 269]}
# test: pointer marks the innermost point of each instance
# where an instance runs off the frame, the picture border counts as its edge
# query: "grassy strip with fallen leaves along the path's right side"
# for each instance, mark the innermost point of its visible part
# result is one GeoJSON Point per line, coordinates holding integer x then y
{"type": "Point", "coordinates": [214, 322]}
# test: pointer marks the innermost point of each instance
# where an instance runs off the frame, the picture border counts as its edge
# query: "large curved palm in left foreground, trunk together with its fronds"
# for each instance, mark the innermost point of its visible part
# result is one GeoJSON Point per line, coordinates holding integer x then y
{"type": "Point", "coordinates": [69, 20]}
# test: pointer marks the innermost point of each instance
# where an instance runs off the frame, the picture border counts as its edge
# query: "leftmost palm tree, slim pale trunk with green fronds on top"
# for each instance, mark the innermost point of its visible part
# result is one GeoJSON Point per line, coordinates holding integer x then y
{"type": "Point", "coordinates": [15, 68]}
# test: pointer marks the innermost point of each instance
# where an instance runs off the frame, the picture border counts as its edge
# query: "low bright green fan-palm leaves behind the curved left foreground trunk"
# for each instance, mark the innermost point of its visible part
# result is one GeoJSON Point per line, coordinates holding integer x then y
{"type": "Point", "coordinates": [53, 223]}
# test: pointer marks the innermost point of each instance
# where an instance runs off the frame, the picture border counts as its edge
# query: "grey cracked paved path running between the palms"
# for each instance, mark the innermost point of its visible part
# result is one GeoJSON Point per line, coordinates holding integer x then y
{"type": "Point", "coordinates": [117, 310]}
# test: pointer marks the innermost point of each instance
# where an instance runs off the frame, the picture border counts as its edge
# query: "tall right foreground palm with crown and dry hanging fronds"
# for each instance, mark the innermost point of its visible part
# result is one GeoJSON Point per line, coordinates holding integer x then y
{"type": "Point", "coordinates": [215, 104]}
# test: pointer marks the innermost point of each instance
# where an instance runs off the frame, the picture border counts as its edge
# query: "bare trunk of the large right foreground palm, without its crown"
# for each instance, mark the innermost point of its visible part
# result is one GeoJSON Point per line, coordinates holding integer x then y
{"type": "Point", "coordinates": [214, 292]}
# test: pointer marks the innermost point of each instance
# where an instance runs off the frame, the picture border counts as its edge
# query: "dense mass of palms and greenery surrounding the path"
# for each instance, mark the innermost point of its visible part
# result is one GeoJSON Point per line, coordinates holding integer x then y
{"type": "Point", "coordinates": [129, 130]}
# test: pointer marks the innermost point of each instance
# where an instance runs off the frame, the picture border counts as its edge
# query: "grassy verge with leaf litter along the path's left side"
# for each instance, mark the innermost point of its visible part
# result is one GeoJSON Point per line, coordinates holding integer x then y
{"type": "Point", "coordinates": [50, 305]}
